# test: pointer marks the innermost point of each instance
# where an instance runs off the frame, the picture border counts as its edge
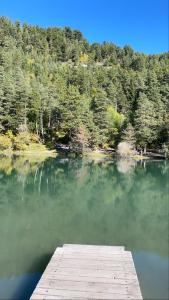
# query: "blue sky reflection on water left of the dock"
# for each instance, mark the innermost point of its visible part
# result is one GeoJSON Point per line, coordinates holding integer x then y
{"type": "Point", "coordinates": [15, 286]}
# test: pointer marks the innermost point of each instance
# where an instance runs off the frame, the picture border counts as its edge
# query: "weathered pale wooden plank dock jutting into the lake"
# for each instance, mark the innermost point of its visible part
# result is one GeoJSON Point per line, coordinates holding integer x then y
{"type": "Point", "coordinates": [89, 272]}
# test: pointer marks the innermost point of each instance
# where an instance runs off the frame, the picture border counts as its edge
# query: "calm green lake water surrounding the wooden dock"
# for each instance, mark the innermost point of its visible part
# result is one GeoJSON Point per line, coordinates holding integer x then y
{"type": "Point", "coordinates": [44, 204]}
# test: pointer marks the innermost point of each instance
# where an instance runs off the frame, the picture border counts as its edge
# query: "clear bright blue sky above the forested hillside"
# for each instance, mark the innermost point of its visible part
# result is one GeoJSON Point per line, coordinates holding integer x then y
{"type": "Point", "coordinates": [142, 24]}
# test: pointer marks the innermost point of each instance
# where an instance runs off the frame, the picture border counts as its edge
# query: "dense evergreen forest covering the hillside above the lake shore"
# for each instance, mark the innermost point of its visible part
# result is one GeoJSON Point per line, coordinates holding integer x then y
{"type": "Point", "coordinates": [55, 87]}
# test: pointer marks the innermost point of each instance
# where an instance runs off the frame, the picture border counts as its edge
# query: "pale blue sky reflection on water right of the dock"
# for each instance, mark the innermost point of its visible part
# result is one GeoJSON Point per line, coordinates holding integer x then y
{"type": "Point", "coordinates": [153, 273]}
